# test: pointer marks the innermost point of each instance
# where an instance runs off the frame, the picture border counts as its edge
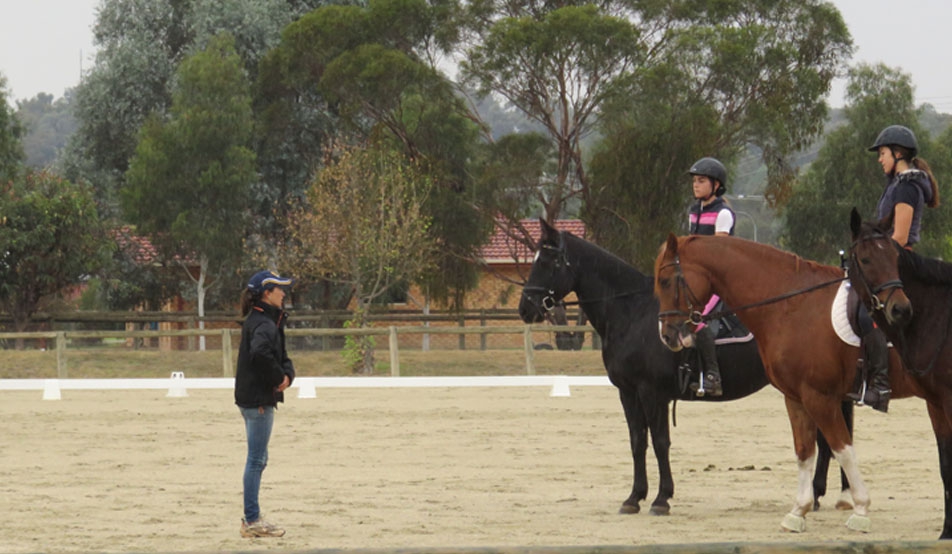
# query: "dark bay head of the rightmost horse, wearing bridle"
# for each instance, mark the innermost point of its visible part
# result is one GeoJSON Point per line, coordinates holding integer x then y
{"type": "Point", "coordinates": [874, 270]}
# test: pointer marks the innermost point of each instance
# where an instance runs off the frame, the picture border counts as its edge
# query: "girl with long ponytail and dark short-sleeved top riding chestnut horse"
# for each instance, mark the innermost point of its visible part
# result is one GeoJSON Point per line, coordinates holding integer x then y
{"type": "Point", "coordinates": [911, 187]}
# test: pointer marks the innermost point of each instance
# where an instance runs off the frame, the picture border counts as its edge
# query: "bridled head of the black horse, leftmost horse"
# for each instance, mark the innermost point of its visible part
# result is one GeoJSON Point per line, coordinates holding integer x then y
{"type": "Point", "coordinates": [551, 278]}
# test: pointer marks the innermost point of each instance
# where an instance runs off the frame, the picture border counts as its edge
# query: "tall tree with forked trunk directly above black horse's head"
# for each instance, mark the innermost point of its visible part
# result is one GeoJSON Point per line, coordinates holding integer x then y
{"type": "Point", "coordinates": [556, 65]}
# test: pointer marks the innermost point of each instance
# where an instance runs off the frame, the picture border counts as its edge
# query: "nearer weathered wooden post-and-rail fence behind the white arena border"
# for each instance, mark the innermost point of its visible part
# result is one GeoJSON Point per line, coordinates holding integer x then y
{"type": "Point", "coordinates": [228, 335]}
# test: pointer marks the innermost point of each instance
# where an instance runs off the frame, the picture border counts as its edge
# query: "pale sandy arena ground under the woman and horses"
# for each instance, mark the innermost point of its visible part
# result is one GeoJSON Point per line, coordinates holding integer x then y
{"type": "Point", "coordinates": [137, 471]}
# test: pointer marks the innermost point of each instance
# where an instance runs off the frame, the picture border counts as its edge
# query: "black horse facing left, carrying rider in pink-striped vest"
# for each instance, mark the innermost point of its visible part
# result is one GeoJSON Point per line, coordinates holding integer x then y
{"type": "Point", "coordinates": [619, 302]}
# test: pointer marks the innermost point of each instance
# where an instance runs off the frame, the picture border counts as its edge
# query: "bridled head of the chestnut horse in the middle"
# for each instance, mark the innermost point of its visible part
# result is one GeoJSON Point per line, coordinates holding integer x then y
{"type": "Point", "coordinates": [682, 290]}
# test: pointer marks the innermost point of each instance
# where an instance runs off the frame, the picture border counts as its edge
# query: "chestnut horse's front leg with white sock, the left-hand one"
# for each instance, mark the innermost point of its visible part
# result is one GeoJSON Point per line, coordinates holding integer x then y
{"type": "Point", "coordinates": [804, 443]}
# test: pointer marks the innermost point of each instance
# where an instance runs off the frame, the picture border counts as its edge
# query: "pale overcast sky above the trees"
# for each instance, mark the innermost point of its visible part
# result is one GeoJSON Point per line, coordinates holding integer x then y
{"type": "Point", "coordinates": [46, 44]}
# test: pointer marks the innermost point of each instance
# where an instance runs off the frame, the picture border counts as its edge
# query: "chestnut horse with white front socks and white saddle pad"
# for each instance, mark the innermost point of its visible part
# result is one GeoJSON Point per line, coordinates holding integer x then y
{"type": "Point", "coordinates": [786, 302]}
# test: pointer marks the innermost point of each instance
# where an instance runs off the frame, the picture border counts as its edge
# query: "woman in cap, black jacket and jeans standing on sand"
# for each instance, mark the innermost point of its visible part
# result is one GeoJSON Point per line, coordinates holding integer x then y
{"type": "Point", "coordinates": [264, 372]}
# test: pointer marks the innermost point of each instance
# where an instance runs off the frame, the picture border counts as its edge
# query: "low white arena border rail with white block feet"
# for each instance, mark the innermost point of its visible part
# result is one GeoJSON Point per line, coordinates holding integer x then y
{"type": "Point", "coordinates": [178, 385]}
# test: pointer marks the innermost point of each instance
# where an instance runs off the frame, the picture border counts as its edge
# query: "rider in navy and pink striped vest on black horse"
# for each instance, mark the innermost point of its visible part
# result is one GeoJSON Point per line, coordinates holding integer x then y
{"type": "Point", "coordinates": [710, 215]}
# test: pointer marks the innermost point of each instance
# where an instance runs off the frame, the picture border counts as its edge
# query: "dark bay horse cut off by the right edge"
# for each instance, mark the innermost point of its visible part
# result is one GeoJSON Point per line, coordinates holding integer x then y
{"type": "Point", "coordinates": [884, 275]}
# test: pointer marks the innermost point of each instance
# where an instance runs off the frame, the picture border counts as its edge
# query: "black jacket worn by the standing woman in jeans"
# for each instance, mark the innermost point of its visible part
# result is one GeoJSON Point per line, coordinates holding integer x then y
{"type": "Point", "coordinates": [262, 359]}
